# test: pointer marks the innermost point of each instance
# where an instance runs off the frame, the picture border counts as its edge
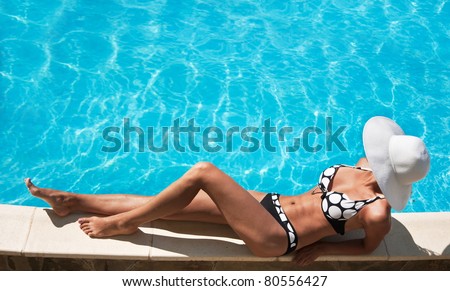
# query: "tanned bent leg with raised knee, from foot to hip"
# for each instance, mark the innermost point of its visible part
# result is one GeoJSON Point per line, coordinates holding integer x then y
{"type": "Point", "coordinates": [262, 234]}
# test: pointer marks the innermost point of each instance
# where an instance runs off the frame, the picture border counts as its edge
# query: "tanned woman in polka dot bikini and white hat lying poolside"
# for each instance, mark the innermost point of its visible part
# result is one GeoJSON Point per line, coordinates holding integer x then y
{"type": "Point", "coordinates": [270, 224]}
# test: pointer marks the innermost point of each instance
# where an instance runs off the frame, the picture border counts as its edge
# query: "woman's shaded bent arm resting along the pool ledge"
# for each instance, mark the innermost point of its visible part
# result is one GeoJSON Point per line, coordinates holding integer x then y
{"type": "Point", "coordinates": [376, 228]}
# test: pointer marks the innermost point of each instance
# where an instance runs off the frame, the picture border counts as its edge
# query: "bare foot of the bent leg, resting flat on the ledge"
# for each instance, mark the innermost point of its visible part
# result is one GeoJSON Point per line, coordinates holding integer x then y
{"type": "Point", "coordinates": [105, 226]}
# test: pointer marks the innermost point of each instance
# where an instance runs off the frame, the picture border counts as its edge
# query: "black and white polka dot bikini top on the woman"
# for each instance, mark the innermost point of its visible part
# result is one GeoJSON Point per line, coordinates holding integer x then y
{"type": "Point", "coordinates": [336, 206]}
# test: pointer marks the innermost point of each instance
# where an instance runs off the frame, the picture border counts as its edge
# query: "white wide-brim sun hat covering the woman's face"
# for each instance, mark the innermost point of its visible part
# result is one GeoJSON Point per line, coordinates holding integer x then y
{"type": "Point", "coordinates": [397, 160]}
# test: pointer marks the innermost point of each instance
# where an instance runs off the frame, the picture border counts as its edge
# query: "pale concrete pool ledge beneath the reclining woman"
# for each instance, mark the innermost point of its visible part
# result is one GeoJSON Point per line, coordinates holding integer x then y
{"type": "Point", "coordinates": [37, 233]}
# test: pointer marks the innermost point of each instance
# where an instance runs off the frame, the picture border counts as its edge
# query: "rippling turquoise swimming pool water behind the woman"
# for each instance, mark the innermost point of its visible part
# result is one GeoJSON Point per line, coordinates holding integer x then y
{"type": "Point", "coordinates": [71, 69]}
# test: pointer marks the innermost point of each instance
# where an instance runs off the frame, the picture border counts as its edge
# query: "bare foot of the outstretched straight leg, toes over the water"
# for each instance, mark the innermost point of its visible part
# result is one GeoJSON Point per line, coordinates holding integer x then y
{"type": "Point", "coordinates": [60, 201]}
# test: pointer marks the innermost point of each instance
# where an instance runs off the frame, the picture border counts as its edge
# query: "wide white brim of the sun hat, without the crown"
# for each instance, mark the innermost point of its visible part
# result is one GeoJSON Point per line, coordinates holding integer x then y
{"type": "Point", "coordinates": [376, 136]}
